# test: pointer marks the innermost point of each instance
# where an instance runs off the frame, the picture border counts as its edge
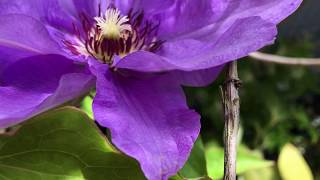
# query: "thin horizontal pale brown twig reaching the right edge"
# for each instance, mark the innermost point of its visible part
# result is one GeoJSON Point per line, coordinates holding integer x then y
{"type": "Point", "coordinates": [285, 60]}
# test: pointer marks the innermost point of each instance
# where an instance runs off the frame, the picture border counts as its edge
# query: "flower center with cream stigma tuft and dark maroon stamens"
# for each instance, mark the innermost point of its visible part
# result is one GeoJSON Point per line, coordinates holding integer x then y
{"type": "Point", "coordinates": [113, 34]}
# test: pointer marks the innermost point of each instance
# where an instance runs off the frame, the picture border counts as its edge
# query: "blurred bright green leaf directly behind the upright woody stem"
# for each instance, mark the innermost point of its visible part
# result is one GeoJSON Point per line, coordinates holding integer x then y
{"type": "Point", "coordinates": [246, 160]}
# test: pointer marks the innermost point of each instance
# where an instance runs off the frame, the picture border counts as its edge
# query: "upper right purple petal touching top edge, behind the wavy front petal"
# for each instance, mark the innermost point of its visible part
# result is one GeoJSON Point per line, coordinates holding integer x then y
{"type": "Point", "coordinates": [207, 19]}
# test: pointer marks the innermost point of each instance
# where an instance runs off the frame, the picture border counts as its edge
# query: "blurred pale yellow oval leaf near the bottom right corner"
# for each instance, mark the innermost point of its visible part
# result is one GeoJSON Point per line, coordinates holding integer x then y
{"type": "Point", "coordinates": [292, 165]}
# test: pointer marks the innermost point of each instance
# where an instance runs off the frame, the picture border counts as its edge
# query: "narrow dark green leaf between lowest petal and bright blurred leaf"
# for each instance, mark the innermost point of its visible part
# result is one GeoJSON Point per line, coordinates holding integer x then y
{"type": "Point", "coordinates": [196, 165]}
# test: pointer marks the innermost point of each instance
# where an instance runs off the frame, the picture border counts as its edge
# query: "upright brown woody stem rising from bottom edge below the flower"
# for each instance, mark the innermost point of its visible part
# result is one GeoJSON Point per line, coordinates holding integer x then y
{"type": "Point", "coordinates": [231, 102]}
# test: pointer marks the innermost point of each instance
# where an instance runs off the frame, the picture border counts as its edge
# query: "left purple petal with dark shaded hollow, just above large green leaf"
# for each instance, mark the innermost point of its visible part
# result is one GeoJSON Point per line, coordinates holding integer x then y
{"type": "Point", "coordinates": [33, 85]}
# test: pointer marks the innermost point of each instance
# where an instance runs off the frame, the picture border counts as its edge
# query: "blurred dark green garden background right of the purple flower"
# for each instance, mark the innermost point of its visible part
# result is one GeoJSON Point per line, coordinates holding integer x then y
{"type": "Point", "coordinates": [280, 108]}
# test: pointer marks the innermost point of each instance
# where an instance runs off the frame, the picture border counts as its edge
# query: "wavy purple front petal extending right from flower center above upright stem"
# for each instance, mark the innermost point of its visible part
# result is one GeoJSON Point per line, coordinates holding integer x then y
{"type": "Point", "coordinates": [244, 36]}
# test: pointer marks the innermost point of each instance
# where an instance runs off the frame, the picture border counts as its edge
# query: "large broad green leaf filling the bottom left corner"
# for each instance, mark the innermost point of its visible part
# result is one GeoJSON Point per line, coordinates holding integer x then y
{"type": "Point", "coordinates": [63, 144]}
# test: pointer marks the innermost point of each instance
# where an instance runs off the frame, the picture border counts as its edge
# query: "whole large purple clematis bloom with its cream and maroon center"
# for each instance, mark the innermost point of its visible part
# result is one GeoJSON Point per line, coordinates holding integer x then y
{"type": "Point", "coordinates": [137, 53]}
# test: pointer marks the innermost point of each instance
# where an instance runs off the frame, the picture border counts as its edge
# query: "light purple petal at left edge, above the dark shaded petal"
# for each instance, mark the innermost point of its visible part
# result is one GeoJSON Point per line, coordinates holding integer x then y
{"type": "Point", "coordinates": [27, 35]}
